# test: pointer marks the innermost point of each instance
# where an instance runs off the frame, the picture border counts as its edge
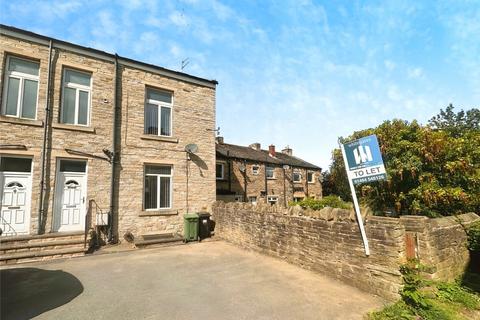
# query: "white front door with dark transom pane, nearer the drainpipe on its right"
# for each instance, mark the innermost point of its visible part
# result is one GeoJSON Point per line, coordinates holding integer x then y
{"type": "Point", "coordinates": [70, 197]}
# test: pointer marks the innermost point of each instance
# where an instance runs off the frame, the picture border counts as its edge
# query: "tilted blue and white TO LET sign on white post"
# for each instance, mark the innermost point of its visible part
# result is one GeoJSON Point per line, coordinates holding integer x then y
{"type": "Point", "coordinates": [363, 163]}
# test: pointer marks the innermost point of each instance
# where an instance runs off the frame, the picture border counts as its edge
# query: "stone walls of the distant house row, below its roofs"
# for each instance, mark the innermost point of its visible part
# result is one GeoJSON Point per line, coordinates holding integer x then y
{"type": "Point", "coordinates": [245, 180]}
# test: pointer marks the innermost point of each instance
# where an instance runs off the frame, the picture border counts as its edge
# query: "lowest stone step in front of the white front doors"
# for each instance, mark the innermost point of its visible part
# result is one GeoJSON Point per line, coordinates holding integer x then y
{"type": "Point", "coordinates": [31, 256]}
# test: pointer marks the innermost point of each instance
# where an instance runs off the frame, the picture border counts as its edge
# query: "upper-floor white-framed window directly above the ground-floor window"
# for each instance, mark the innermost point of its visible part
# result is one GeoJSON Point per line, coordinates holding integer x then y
{"type": "Point", "coordinates": [158, 112]}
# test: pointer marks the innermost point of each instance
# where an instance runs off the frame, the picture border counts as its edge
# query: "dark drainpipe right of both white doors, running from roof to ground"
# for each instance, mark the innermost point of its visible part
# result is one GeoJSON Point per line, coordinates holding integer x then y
{"type": "Point", "coordinates": [112, 238]}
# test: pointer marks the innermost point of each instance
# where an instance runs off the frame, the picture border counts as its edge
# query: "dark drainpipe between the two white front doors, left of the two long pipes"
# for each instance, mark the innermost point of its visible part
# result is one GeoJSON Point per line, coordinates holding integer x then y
{"type": "Point", "coordinates": [44, 142]}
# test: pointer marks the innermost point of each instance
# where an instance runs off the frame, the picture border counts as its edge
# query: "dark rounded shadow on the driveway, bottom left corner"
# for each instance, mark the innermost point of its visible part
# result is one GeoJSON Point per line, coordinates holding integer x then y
{"type": "Point", "coordinates": [28, 292]}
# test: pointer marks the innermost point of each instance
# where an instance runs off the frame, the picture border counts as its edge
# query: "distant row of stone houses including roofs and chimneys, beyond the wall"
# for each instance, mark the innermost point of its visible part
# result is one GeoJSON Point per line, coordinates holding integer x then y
{"type": "Point", "coordinates": [250, 174]}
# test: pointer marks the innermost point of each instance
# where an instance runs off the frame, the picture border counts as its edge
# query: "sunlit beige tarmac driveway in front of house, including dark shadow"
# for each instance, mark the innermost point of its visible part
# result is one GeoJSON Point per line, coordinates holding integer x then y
{"type": "Point", "coordinates": [208, 280]}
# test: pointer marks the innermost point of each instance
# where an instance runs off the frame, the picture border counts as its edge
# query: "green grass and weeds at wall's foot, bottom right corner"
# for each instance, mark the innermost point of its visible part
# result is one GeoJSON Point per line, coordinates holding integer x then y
{"type": "Point", "coordinates": [425, 299]}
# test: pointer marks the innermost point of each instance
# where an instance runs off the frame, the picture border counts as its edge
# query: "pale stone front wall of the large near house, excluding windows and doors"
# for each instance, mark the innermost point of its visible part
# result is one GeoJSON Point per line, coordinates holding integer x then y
{"type": "Point", "coordinates": [193, 118]}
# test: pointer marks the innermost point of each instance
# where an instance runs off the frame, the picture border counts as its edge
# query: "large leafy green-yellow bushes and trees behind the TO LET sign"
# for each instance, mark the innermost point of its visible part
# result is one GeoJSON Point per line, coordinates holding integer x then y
{"type": "Point", "coordinates": [432, 170]}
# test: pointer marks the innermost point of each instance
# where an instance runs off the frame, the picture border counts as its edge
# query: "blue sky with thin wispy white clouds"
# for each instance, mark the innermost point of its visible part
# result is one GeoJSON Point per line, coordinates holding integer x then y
{"type": "Point", "coordinates": [298, 73]}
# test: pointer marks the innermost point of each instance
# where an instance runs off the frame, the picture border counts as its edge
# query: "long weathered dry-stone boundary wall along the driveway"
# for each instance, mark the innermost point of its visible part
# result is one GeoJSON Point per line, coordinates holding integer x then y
{"type": "Point", "coordinates": [329, 242]}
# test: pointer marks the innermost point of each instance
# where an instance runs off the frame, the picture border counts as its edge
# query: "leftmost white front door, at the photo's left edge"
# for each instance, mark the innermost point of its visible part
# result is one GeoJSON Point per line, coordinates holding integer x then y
{"type": "Point", "coordinates": [16, 191]}
